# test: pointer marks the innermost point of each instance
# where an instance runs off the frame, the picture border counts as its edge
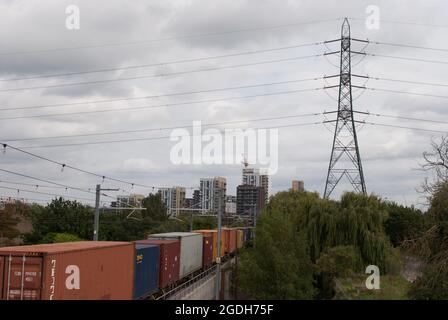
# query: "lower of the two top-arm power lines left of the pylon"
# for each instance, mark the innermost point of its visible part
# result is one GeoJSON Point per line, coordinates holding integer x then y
{"type": "Point", "coordinates": [63, 85]}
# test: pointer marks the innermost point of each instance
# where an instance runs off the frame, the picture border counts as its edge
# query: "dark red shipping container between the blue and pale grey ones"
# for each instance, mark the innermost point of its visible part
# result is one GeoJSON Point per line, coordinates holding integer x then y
{"type": "Point", "coordinates": [169, 264]}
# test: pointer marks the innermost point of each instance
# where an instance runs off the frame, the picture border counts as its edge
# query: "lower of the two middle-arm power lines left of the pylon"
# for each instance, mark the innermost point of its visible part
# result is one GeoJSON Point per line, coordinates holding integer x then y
{"type": "Point", "coordinates": [165, 105]}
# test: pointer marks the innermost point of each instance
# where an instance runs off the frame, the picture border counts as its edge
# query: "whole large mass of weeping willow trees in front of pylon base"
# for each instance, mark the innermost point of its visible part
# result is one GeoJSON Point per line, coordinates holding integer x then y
{"type": "Point", "coordinates": [301, 227]}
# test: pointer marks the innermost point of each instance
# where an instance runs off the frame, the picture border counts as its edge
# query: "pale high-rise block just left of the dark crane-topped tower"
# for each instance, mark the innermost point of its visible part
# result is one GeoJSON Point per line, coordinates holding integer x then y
{"type": "Point", "coordinates": [212, 194]}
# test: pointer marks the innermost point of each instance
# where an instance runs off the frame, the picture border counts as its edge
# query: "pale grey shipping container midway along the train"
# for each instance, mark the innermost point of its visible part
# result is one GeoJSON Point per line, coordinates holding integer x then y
{"type": "Point", "coordinates": [190, 250]}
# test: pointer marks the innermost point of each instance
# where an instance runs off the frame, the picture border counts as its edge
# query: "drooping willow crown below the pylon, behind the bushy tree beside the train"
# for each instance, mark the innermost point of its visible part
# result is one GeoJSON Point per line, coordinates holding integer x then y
{"type": "Point", "coordinates": [356, 220]}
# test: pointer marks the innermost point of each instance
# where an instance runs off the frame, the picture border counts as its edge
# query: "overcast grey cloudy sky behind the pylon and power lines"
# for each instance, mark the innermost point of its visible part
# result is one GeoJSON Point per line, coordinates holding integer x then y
{"type": "Point", "coordinates": [139, 40]}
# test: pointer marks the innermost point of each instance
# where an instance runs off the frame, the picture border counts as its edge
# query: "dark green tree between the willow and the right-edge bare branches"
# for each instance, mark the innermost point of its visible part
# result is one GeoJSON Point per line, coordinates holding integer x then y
{"type": "Point", "coordinates": [403, 223]}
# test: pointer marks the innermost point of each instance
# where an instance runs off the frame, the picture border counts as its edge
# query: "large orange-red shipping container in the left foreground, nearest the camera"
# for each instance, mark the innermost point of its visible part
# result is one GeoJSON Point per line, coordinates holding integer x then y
{"type": "Point", "coordinates": [85, 270]}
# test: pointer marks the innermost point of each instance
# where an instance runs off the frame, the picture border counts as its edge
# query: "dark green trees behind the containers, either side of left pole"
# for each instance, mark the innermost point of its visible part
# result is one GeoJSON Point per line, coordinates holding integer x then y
{"type": "Point", "coordinates": [60, 218]}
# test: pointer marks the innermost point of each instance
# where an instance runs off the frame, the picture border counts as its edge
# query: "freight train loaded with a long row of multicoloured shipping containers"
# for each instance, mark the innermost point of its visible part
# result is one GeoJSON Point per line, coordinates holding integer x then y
{"type": "Point", "coordinates": [106, 270]}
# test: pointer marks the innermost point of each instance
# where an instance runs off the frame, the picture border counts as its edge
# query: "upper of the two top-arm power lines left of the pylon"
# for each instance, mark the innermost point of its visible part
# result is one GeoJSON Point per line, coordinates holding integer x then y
{"type": "Point", "coordinates": [160, 64]}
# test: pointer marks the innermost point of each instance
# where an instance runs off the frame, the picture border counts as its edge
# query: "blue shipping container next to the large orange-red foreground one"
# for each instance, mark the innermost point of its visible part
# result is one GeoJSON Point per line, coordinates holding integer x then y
{"type": "Point", "coordinates": [146, 276]}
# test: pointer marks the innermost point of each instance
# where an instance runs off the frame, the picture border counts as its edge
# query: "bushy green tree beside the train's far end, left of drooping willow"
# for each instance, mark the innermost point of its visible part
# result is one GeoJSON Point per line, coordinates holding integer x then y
{"type": "Point", "coordinates": [279, 267]}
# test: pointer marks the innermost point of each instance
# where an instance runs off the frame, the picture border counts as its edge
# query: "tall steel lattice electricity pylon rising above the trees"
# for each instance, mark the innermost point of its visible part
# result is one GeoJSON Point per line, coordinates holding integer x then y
{"type": "Point", "coordinates": [345, 159]}
